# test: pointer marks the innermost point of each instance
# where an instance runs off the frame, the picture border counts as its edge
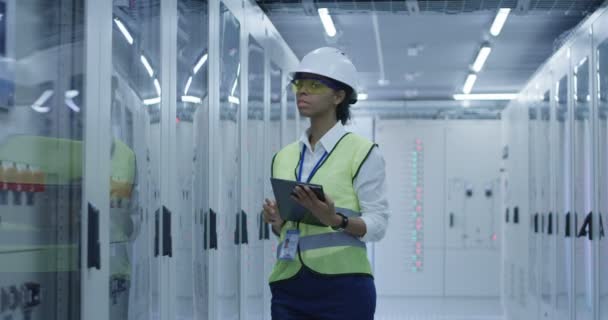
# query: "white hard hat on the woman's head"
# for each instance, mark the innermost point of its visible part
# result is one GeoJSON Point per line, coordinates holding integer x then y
{"type": "Point", "coordinates": [331, 63]}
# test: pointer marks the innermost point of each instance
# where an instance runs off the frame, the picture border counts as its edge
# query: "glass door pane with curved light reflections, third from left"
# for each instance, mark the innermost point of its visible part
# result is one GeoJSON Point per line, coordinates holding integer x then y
{"type": "Point", "coordinates": [192, 91]}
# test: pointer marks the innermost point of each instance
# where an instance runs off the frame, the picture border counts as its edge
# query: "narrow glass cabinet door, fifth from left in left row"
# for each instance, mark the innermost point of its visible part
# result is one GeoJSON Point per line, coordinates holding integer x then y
{"type": "Point", "coordinates": [256, 231]}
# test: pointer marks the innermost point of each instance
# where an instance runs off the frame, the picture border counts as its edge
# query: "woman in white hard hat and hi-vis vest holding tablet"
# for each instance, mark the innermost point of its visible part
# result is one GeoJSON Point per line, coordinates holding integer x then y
{"type": "Point", "coordinates": [322, 270]}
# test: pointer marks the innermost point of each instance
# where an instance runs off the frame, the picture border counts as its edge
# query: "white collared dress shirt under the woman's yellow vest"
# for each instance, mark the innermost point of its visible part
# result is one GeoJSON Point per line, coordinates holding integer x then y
{"type": "Point", "coordinates": [370, 183]}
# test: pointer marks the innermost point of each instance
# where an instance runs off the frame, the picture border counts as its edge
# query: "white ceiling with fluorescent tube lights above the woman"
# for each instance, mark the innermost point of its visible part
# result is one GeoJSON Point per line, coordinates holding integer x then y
{"type": "Point", "coordinates": [448, 42]}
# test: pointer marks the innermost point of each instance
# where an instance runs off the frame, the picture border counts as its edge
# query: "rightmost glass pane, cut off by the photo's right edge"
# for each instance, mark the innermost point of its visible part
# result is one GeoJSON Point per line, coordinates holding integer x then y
{"type": "Point", "coordinates": [602, 143]}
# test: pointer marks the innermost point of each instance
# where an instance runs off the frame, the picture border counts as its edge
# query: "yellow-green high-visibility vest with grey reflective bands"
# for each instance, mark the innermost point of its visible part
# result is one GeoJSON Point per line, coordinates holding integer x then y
{"type": "Point", "coordinates": [320, 248]}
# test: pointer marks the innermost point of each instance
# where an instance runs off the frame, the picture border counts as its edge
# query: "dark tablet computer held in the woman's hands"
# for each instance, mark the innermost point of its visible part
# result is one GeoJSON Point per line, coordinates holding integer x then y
{"type": "Point", "coordinates": [289, 209]}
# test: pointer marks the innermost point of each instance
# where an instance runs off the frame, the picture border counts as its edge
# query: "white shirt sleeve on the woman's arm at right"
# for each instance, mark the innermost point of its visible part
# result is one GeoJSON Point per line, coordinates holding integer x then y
{"type": "Point", "coordinates": [370, 186]}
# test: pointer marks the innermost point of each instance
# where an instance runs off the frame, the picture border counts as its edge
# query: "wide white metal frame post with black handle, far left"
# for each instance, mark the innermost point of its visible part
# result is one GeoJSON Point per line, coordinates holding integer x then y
{"type": "Point", "coordinates": [98, 52]}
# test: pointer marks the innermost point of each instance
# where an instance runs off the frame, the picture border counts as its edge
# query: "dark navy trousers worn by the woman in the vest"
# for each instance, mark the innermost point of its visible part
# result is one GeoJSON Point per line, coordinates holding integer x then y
{"type": "Point", "coordinates": [310, 296]}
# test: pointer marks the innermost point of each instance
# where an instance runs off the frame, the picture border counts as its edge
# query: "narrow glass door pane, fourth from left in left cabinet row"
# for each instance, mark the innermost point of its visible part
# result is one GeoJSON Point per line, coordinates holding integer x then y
{"type": "Point", "coordinates": [229, 165]}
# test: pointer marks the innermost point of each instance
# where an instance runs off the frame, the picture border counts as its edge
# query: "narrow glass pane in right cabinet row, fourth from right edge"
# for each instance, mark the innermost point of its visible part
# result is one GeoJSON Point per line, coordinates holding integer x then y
{"type": "Point", "coordinates": [544, 182]}
